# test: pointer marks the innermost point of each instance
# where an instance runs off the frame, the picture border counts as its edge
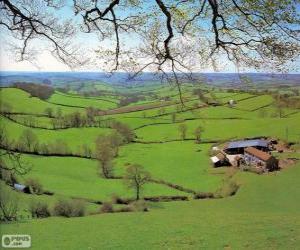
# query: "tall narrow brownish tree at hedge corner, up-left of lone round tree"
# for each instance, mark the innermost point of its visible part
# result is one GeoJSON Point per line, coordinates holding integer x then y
{"type": "Point", "coordinates": [104, 154]}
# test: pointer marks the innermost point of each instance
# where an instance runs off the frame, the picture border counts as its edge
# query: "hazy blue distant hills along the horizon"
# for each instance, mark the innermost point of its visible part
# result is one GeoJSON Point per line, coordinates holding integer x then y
{"type": "Point", "coordinates": [224, 79]}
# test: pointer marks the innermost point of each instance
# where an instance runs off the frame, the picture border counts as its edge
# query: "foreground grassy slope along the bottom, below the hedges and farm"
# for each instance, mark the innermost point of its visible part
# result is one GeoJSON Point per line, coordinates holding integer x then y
{"type": "Point", "coordinates": [250, 220]}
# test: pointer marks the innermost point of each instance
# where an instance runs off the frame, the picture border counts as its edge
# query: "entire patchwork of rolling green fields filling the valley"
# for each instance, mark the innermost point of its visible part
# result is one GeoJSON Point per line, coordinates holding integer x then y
{"type": "Point", "coordinates": [263, 214]}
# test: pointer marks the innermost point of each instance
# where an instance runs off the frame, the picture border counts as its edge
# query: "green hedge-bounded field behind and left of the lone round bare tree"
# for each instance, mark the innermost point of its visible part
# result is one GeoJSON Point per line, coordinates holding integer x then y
{"type": "Point", "coordinates": [75, 177]}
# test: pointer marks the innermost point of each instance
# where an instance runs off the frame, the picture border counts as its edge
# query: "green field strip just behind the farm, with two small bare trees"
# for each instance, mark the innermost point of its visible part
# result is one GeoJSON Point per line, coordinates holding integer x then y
{"type": "Point", "coordinates": [224, 129]}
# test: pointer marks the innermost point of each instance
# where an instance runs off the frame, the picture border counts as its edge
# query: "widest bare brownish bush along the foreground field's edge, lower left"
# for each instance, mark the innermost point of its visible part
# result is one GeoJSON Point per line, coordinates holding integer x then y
{"type": "Point", "coordinates": [69, 208]}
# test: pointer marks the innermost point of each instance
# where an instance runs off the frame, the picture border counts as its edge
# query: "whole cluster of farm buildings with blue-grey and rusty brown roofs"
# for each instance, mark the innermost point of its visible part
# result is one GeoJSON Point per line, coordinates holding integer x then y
{"type": "Point", "coordinates": [254, 152]}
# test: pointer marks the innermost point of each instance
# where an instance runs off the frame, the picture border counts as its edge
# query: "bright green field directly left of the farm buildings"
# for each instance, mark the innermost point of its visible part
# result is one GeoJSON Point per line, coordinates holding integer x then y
{"type": "Point", "coordinates": [172, 163]}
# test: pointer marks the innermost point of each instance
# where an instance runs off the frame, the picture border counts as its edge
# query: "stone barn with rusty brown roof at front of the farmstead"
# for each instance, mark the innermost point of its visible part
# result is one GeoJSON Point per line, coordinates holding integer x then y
{"type": "Point", "coordinates": [253, 156]}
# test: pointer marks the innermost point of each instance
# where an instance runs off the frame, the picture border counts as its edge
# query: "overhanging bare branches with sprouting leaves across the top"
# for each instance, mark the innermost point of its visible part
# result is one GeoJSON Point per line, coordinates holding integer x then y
{"type": "Point", "coordinates": [250, 34]}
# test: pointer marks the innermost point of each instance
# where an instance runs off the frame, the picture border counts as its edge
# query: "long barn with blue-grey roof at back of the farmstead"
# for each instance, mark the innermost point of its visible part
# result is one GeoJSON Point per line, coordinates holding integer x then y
{"type": "Point", "coordinates": [237, 147]}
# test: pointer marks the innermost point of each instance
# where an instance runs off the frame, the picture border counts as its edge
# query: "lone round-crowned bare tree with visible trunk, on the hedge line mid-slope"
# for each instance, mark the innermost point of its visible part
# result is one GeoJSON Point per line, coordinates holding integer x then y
{"type": "Point", "coordinates": [136, 177]}
